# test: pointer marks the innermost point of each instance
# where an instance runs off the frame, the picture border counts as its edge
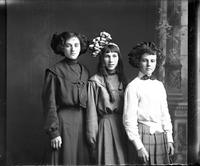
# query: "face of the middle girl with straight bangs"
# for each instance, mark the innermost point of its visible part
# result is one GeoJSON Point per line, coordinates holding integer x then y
{"type": "Point", "coordinates": [111, 60]}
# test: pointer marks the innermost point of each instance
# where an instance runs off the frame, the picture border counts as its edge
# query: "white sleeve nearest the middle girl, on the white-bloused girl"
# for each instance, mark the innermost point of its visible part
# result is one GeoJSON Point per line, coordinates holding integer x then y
{"type": "Point", "coordinates": [130, 116]}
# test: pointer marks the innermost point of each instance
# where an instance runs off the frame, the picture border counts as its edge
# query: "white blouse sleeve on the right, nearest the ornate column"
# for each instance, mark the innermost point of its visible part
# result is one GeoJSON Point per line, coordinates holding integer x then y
{"type": "Point", "coordinates": [166, 120]}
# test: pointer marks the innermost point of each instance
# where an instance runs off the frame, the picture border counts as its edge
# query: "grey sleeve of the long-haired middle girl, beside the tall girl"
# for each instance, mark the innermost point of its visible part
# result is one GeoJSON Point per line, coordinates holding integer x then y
{"type": "Point", "coordinates": [91, 115]}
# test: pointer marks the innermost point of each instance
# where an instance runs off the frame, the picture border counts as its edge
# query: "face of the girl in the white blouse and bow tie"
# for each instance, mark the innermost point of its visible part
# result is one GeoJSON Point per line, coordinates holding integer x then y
{"type": "Point", "coordinates": [148, 64]}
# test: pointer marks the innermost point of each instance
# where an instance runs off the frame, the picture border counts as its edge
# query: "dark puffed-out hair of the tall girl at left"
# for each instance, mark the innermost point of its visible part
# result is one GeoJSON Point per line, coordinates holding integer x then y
{"type": "Point", "coordinates": [58, 42]}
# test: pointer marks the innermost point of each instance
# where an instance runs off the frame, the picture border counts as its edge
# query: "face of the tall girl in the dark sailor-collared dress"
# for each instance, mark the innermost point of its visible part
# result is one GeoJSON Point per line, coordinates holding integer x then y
{"type": "Point", "coordinates": [72, 48]}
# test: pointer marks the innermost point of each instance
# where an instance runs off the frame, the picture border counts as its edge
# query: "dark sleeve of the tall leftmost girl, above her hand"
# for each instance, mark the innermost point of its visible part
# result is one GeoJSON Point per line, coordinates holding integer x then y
{"type": "Point", "coordinates": [51, 125]}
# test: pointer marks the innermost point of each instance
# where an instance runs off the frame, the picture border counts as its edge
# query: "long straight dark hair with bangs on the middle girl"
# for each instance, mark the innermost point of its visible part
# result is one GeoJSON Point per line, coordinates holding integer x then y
{"type": "Point", "coordinates": [119, 69]}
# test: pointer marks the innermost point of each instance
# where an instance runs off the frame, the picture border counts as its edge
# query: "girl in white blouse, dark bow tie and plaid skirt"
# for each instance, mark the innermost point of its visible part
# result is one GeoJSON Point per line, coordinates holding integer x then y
{"type": "Point", "coordinates": [146, 117]}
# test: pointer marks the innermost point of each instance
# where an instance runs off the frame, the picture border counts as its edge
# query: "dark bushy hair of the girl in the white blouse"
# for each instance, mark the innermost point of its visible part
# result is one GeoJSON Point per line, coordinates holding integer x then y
{"type": "Point", "coordinates": [140, 49]}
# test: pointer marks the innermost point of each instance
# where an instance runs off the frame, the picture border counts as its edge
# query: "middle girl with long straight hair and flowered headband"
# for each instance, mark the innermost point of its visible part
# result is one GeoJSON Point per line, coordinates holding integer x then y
{"type": "Point", "coordinates": [105, 131]}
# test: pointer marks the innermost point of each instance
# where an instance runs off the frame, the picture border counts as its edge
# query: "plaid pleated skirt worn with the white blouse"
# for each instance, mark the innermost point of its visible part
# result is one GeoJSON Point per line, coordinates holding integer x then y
{"type": "Point", "coordinates": [155, 144]}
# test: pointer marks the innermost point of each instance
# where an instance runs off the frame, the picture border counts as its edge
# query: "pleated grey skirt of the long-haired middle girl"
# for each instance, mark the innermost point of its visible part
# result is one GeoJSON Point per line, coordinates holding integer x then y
{"type": "Point", "coordinates": [112, 141]}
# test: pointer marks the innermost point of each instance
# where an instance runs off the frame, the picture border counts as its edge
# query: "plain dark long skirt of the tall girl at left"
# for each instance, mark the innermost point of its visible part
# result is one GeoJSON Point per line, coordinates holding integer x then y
{"type": "Point", "coordinates": [74, 150]}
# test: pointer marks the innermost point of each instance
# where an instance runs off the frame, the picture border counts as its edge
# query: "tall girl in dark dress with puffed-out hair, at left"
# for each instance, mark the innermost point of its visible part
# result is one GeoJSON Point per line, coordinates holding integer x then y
{"type": "Point", "coordinates": [64, 100]}
